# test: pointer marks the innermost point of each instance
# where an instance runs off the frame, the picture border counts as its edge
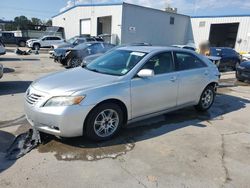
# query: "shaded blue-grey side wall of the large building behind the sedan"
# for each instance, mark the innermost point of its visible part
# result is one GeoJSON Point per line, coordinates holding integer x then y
{"type": "Point", "coordinates": [142, 24]}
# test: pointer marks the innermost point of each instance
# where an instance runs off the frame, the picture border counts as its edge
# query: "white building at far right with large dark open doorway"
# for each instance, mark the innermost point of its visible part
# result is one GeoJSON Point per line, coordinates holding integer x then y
{"type": "Point", "coordinates": [223, 31]}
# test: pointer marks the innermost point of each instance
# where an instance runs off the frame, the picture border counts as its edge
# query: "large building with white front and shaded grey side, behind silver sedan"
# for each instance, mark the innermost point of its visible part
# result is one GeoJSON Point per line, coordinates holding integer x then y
{"type": "Point", "coordinates": [127, 23]}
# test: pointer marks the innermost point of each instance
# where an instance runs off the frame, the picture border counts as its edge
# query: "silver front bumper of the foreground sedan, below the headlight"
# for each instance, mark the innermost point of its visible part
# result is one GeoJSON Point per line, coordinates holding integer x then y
{"type": "Point", "coordinates": [59, 121]}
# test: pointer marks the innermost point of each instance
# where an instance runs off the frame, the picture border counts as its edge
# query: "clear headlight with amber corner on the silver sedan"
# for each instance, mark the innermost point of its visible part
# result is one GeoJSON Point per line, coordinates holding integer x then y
{"type": "Point", "coordinates": [64, 101]}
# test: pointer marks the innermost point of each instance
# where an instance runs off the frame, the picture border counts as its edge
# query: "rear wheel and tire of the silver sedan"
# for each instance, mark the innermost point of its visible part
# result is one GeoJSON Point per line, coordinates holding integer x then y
{"type": "Point", "coordinates": [206, 99]}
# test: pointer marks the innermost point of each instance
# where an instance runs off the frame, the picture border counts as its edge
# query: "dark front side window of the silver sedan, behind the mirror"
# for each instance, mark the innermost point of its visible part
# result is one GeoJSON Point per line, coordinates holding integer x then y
{"type": "Point", "coordinates": [161, 63]}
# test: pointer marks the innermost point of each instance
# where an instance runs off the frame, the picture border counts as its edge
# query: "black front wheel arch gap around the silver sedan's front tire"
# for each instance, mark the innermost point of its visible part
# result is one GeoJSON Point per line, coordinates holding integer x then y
{"type": "Point", "coordinates": [113, 101]}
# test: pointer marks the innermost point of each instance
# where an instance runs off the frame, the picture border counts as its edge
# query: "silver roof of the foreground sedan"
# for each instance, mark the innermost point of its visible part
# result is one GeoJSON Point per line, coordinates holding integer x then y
{"type": "Point", "coordinates": [149, 49]}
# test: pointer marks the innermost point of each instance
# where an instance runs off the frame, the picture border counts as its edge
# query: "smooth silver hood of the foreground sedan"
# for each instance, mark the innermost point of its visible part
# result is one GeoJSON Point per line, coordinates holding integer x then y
{"type": "Point", "coordinates": [70, 81]}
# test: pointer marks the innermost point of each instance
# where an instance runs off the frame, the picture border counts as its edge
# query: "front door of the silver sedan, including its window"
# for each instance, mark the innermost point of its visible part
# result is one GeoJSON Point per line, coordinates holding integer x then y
{"type": "Point", "coordinates": [156, 93]}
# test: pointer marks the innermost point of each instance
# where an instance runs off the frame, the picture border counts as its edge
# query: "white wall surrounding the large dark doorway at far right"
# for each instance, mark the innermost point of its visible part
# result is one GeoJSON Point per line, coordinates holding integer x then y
{"type": "Point", "coordinates": [202, 33]}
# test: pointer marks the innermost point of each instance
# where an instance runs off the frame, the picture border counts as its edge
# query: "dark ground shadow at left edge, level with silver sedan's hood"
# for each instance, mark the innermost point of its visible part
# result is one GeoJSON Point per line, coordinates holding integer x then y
{"type": "Point", "coordinates": [13, 87]}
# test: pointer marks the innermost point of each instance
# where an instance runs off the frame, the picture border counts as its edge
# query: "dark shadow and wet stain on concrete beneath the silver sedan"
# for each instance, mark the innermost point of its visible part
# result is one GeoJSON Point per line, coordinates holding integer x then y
{"type": "Point", "coordinates": [83, 149]}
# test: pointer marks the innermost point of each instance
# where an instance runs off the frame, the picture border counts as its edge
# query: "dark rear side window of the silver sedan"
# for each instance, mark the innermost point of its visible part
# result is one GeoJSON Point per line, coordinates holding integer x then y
{"type": "Point", "coordinates": [186, 61]}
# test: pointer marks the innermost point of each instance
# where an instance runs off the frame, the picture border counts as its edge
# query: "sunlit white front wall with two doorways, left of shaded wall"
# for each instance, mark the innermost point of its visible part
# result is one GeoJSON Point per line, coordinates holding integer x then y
{"type": "Point", "coordinates": [70, 20]}
